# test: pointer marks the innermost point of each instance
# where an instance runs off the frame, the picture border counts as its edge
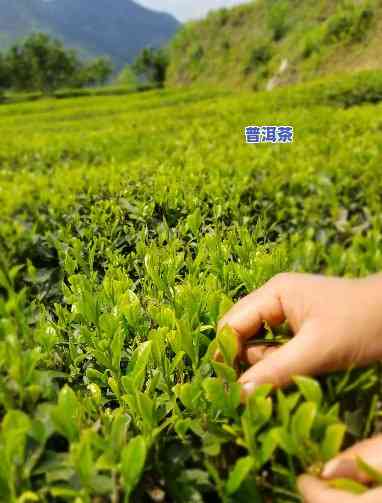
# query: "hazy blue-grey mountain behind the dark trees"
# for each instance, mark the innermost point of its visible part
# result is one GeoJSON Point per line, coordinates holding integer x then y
{"type": "Point", "coordinates": [118, 28]}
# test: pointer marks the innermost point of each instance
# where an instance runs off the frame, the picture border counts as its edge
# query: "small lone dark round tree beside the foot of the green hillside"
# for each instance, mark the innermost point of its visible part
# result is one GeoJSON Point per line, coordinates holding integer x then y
{"type": "Point", "coordinates": [151, 66]}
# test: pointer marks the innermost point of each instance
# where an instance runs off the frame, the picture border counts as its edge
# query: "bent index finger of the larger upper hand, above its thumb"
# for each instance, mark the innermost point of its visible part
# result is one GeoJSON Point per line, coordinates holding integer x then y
{"type": "Point", "coordinates": [249, 314]}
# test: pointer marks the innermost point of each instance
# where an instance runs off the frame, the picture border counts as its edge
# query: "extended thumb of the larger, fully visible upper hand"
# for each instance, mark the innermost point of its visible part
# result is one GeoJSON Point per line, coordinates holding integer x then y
{"type": "Point", "coordinates": [303, 355]}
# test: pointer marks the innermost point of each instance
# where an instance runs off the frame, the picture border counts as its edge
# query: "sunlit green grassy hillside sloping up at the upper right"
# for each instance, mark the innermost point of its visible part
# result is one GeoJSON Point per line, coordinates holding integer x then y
{"type": "Point", "coordinates": [265, 44]}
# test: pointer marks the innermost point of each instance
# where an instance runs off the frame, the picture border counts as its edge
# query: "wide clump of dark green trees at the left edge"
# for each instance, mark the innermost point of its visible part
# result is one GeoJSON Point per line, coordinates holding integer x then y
{"type": "Point", "coordinates": [40, 63]}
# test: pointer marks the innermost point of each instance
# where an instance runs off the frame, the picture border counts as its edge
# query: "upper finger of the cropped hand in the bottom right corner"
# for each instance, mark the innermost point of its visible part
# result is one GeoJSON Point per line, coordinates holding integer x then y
{"type": "Point", "coordinates": [345, 465]}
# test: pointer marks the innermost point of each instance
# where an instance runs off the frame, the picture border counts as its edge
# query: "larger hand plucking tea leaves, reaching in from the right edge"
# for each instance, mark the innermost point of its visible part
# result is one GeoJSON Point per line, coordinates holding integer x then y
{"type": "Point", "coordinates": [337, 324]}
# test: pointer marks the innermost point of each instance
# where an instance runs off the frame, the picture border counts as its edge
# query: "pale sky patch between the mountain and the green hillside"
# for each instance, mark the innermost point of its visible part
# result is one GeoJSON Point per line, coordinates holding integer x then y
{"type": "Point", "coordinates": [188, 9]}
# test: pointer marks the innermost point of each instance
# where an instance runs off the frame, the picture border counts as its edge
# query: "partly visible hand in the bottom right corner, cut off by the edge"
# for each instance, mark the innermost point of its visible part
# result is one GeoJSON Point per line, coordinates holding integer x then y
{"type": "Point", "coordinates": [345, 466]}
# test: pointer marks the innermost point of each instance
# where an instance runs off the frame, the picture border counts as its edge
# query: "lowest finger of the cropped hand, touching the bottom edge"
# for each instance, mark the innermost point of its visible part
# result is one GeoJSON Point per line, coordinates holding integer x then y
{"type": "Point", "coordinates": [315, 491]}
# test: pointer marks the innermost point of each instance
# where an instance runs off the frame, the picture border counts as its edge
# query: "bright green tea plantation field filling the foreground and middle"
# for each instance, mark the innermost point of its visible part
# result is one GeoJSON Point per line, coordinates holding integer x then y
{"type": "Point", "coordinates": [128, 226]}
